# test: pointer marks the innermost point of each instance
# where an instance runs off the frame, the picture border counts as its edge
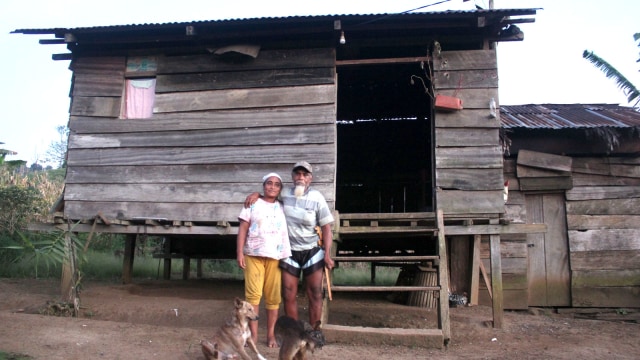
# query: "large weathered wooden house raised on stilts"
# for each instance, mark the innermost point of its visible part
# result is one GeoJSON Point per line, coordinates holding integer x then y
{"type": "Point", "coordinates": [172, 125]}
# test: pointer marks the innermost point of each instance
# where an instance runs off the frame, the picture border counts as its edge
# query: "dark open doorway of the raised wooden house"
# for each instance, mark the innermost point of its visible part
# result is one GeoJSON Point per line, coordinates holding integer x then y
{"type": "Point", "coordinates": [384, 128]}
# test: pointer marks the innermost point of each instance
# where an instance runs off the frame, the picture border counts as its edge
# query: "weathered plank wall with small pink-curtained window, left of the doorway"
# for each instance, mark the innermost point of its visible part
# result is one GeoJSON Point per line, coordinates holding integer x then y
{"type": "Point", "coordinates": [218, 126]}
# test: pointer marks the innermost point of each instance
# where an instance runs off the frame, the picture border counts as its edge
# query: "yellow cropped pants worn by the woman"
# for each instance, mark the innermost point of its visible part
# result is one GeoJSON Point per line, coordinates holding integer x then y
{"type": "Point", "coordinates": [262, 275]}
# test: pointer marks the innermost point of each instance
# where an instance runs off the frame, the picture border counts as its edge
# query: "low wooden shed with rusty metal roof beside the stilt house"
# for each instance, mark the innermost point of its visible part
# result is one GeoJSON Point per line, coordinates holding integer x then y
{"type": "Point", "coordinates": [575, 167]}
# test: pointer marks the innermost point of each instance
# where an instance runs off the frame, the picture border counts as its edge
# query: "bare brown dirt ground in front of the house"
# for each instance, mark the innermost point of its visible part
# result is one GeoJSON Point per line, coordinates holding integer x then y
{"type": "Point", "coordinates": [153, 319]}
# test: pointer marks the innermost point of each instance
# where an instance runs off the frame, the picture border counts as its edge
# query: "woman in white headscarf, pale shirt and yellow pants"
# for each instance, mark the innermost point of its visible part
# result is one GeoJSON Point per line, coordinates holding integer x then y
{"type": "Point", "coordinates": [262, 241]}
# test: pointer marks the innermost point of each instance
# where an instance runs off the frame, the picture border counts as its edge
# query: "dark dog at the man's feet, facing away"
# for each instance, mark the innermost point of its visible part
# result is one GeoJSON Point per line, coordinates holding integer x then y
{"type": "Point", "coordinates": [296, 337]}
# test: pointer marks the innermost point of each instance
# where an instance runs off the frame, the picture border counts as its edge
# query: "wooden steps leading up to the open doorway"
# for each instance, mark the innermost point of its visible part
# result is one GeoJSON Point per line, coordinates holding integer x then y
{"type": "Point", "coordinates": [381, 226]}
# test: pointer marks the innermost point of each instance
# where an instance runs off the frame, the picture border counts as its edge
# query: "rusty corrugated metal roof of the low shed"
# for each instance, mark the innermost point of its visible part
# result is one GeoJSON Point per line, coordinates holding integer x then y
{"type": "Point", "coordinates": [567, 116]}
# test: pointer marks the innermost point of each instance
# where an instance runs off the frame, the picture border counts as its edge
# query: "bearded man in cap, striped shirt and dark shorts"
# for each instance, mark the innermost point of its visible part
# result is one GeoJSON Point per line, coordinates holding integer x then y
{"type": "Point", "coordinates": [304, 209]}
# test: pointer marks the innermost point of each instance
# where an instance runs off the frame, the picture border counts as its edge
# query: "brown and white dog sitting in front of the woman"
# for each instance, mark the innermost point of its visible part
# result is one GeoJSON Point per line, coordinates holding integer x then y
{"type": "Point", "coordinates": [230, 339]}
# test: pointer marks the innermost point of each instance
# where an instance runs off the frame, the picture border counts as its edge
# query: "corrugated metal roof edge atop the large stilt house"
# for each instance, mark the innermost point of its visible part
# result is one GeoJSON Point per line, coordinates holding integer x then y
{"type": "Point", "coordinates": [368, 17]}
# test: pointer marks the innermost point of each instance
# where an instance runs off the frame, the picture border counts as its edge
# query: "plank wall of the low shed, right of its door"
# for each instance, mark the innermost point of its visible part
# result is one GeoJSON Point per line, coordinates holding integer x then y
{"type": "Point", "coordinates": [603, 220]}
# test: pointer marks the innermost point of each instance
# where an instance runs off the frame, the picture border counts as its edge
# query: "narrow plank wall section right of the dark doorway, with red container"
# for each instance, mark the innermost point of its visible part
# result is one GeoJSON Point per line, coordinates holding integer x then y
{"type": "Point", "coordinates": [468, 157]}
